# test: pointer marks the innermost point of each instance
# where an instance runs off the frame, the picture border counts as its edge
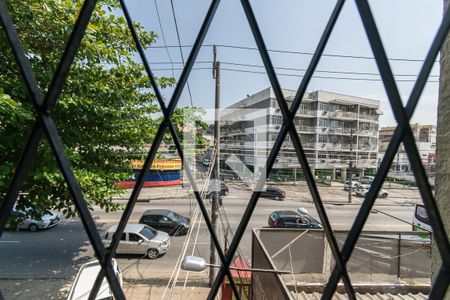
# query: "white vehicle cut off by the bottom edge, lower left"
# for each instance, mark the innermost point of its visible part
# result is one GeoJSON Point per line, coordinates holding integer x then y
{"type": "Point", "coordinates": [84, 281]}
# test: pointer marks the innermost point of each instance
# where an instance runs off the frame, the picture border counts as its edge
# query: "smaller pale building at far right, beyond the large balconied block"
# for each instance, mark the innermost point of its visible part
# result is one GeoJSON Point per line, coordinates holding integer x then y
{"type": "Point", "coordinates": [425, 136]}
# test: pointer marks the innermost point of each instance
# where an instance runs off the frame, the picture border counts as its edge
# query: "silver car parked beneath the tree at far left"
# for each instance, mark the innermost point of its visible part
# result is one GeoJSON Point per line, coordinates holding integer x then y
{"type": "Point", "coordinates": [48, 220]}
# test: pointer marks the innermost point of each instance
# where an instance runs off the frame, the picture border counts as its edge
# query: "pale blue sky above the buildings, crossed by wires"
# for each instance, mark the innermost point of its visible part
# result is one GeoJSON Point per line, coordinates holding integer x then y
{"type": "Point", "coordinates": [407, 28]}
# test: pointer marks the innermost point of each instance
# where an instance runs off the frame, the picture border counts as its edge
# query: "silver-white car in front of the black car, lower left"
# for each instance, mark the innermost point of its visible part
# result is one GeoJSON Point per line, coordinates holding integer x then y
{"type": "Point", "coordinates": [140, 239]}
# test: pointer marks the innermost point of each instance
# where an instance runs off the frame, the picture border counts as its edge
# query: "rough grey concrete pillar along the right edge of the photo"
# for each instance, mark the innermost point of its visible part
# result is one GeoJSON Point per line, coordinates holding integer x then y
{"type": "Point", "coordinates": [443, 150]}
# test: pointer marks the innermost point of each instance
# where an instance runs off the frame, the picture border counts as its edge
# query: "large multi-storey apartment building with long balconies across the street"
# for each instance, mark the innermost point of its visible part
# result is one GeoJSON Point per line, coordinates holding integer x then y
{"type": "Point", "coordinates": [334, 129]}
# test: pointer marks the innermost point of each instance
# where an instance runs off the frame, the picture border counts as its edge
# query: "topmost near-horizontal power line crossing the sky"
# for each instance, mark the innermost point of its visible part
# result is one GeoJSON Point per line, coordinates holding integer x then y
{"type": "Point", "coordinates": [300, 52]}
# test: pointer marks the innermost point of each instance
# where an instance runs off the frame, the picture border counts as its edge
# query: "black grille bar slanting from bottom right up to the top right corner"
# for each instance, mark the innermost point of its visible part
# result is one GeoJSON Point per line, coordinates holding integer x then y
{"type": "Point", "coordinates": [364, 212]}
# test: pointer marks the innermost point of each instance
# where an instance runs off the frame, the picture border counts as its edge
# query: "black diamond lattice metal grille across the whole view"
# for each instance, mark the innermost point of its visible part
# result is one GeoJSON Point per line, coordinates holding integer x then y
{"type": "Point", "coordinates": [44, 126]}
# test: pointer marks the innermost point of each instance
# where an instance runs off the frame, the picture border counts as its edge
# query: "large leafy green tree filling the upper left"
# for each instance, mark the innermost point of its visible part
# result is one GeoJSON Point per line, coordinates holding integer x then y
{"type": "Point", "coordinates": [103, 113]}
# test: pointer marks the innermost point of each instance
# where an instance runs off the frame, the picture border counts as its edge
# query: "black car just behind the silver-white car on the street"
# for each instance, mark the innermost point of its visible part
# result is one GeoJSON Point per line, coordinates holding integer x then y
{"type": "Point", "coordinates": [166, 220]}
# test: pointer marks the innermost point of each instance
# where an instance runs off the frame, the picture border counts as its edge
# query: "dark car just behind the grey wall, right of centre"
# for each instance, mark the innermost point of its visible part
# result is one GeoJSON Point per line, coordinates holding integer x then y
{"type": "Point", "coordinates": [293, 219]}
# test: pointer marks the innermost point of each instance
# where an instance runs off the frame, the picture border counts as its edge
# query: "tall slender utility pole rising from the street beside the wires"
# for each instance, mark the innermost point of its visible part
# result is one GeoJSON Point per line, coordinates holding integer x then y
{"type": "Point", "coordinates": [216, 170]}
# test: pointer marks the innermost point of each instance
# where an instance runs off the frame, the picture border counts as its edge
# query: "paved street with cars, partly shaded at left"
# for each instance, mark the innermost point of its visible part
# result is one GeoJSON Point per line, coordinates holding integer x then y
{"type": "Point", "coordinates": [56, 253]}
